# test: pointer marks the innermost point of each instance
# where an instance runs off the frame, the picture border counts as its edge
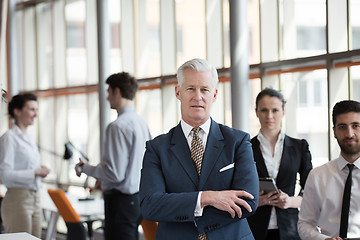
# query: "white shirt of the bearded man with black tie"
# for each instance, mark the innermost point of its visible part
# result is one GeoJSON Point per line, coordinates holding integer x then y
{"type": "Point", "coordinates": [320, 211]}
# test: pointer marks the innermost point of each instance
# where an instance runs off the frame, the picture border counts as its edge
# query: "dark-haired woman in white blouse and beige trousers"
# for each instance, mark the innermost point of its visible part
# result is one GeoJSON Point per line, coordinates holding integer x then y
{"type": "Point", "coordinates": [20, 169]}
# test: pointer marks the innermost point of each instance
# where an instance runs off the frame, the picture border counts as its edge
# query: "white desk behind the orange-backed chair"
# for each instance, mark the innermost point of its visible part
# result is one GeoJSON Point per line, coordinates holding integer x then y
{"type": "Point", "coordinates": [88, 210]}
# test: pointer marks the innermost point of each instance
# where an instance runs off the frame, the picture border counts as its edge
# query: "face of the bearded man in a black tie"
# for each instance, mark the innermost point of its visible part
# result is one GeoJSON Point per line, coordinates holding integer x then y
{"type": "Point", "coordinates": [347, 132]}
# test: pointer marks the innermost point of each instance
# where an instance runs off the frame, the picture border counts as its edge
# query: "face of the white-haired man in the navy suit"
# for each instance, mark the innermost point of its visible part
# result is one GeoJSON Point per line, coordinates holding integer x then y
{"type": "Point", "coordinates": [196, 95]}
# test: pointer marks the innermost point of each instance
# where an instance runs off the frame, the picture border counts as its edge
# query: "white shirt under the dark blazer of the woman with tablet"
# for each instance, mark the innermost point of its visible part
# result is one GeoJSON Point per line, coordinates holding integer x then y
{"type": "Point", "coordinates": [272, 164]}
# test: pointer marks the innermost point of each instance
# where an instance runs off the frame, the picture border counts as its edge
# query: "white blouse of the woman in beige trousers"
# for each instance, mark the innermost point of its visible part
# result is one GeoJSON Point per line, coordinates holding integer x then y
{"type": "Point", "coordinates": [19, 157]}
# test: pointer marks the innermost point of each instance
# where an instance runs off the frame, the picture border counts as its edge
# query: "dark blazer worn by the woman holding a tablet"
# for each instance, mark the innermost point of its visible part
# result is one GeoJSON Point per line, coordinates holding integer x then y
{"type": "Point", "coordinates": [296, 158]}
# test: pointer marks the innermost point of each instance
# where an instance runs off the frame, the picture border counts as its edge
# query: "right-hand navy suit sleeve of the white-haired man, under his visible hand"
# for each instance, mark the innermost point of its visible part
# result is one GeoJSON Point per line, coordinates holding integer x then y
{"type": "Point", "coordinates": [245, 178]}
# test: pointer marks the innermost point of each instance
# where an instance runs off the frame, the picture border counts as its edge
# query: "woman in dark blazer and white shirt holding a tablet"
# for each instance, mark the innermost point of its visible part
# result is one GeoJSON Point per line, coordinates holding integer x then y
{"type": "Point", "coordinates": [280, 157]}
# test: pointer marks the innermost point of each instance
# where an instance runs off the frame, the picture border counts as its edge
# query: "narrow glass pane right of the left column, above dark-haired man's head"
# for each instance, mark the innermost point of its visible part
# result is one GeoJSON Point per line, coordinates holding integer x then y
{"type": "Point", "coordinates": [115, 24]}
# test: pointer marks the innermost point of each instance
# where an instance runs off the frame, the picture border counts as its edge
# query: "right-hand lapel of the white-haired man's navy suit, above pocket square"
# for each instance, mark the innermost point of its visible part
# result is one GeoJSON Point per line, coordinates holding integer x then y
{"type": "Point", "coordinates": [214, 147]}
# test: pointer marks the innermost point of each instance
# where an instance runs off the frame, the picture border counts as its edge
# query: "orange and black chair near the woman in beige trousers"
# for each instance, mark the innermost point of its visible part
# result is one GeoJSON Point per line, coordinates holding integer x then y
{"type": "Point", "coordinates": [76, 229]}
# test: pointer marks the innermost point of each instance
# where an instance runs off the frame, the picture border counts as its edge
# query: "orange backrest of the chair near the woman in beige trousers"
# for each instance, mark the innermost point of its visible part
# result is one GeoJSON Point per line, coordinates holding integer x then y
{"type": "Point", "coordinates": [64, 206]}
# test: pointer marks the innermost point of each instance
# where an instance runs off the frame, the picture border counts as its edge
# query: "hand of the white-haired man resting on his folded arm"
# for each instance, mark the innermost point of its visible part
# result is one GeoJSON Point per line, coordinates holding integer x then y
{"type": "Point", "coordinates": [228, 201]}
